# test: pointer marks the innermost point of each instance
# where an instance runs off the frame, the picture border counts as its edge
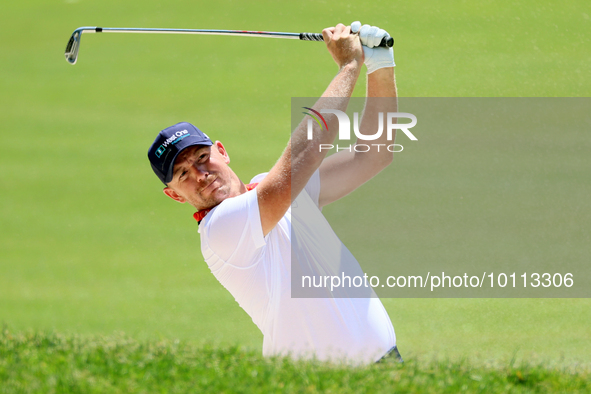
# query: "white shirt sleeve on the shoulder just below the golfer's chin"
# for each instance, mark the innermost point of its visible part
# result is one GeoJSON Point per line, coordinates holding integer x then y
{"type": "Point", "coordinates": [234, 225]}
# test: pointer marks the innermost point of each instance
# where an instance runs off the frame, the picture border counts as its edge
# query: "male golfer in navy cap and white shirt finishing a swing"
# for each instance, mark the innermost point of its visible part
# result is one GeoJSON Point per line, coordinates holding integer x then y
{"type": "Point", "coordinates": [253, 235]}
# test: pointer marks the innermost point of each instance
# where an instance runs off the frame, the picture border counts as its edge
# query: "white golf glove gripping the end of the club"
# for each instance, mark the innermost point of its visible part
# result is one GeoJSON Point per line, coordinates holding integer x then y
{"type": "Point", "coordinates": [375, 57]}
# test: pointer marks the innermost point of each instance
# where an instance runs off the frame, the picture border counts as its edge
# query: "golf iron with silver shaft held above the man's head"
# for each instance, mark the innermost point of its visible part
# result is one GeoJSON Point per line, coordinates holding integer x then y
{"type": "Point", "coordinates": [74, 44]}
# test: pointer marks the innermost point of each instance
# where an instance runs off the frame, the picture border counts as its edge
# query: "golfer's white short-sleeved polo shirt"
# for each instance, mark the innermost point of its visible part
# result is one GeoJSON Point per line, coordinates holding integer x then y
{"type": "Point", "coordinates": [257, 272]}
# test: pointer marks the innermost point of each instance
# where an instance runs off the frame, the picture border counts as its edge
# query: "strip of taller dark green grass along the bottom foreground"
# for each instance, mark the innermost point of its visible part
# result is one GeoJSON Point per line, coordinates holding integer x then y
{"type": "Point", "coordinates": [39, 362]}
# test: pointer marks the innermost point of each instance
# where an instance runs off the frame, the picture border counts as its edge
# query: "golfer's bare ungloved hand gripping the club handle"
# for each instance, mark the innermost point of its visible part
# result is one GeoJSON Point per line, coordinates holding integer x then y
{"type": "Point", "coordinates": [344, 46]}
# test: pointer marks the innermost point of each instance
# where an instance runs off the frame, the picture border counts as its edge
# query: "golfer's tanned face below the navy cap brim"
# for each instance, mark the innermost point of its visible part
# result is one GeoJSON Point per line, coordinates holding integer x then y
{"type": "Point", "coordinates": [202, 177]}
